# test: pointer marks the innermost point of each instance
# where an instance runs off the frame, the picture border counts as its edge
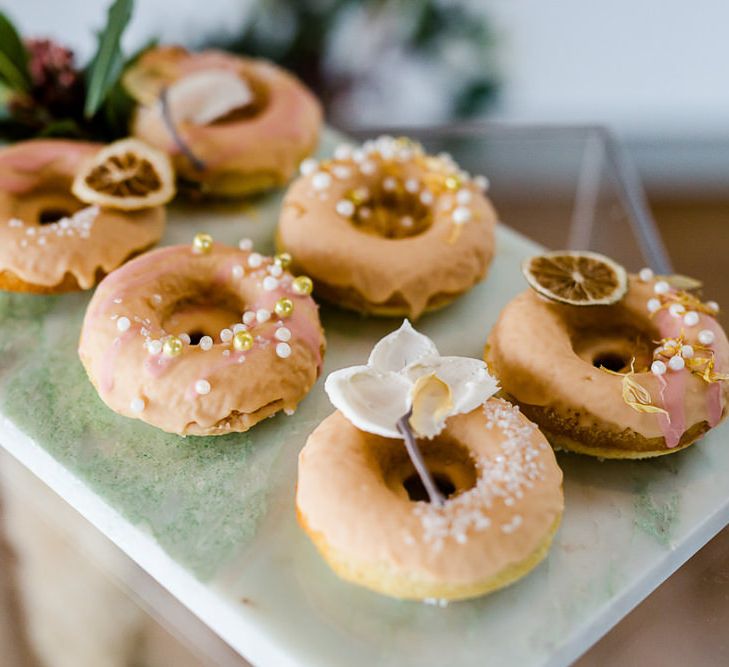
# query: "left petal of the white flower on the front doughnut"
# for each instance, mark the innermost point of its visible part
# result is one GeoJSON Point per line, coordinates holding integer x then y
{"type": "Point", "coordinates": [372, 401]}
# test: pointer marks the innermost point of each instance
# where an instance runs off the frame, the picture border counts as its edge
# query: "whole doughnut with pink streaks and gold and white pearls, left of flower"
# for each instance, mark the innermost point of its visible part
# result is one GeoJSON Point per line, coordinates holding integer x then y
{"type": "Point", "coordinates": [202, 339]}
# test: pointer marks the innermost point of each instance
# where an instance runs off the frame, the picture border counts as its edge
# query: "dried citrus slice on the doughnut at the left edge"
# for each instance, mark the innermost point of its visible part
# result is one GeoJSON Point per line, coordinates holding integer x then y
{"type": "Point", "coordinates": [127, 175]}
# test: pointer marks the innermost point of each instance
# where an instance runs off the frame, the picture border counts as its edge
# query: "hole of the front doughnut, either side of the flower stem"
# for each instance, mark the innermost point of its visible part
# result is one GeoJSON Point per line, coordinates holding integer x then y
{"type": "Point", "coordinates": [448, 461]}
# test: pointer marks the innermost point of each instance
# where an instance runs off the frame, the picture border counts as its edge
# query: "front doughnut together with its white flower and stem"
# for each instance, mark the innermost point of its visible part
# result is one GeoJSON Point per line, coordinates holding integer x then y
{"type": "Point", "coordinates": [422, 485]}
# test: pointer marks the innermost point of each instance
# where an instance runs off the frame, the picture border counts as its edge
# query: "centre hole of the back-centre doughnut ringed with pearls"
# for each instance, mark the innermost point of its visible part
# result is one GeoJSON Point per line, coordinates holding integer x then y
{"type": "Point", "coordinates": [392, 213]}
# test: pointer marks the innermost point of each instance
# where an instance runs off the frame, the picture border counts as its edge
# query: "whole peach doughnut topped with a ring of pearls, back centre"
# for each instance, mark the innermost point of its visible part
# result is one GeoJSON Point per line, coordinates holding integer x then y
{"type": "Point", "coordinates": [386, 229]}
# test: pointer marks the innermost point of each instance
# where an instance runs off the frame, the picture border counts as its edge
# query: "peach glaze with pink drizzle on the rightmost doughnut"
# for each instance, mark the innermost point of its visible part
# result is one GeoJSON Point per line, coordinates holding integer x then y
{"type": "Point", "coordinates": [533, 353]}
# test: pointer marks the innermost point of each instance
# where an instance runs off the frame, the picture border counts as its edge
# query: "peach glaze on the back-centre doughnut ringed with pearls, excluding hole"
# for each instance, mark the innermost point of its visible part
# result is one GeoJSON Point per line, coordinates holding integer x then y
{"type": "Point", "coordinates": [443, 260]}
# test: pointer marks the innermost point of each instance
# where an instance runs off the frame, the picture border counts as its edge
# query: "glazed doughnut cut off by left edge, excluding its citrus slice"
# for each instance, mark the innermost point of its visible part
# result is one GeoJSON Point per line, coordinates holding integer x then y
{"type": "Point", "coordinates": [51, 242]}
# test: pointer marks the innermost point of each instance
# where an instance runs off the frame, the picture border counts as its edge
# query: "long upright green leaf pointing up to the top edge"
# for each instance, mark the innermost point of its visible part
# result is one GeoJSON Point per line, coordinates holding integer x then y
{"type": "Point", "coordinates": [106, 66]}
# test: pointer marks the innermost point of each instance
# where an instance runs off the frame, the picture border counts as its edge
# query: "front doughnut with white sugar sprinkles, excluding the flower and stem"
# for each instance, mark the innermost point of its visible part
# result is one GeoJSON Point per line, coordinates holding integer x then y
{"type": "Point", "coordinates": [497, 524]}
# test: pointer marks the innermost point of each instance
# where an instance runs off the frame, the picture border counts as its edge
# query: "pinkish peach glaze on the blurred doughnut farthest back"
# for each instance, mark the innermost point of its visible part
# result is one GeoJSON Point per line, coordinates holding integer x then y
{"type": "Point", "coordinates": [273, 141]}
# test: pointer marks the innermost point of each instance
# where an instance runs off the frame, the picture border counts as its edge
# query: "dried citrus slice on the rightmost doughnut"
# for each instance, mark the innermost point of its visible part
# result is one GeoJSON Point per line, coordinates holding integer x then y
{"type": "Point", "coordinates": [578, 278]}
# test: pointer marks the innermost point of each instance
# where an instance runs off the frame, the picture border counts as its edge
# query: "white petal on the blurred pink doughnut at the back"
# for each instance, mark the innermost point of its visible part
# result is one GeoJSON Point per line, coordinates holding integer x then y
{"type": "Point", "coordinates": [206, 95]}
